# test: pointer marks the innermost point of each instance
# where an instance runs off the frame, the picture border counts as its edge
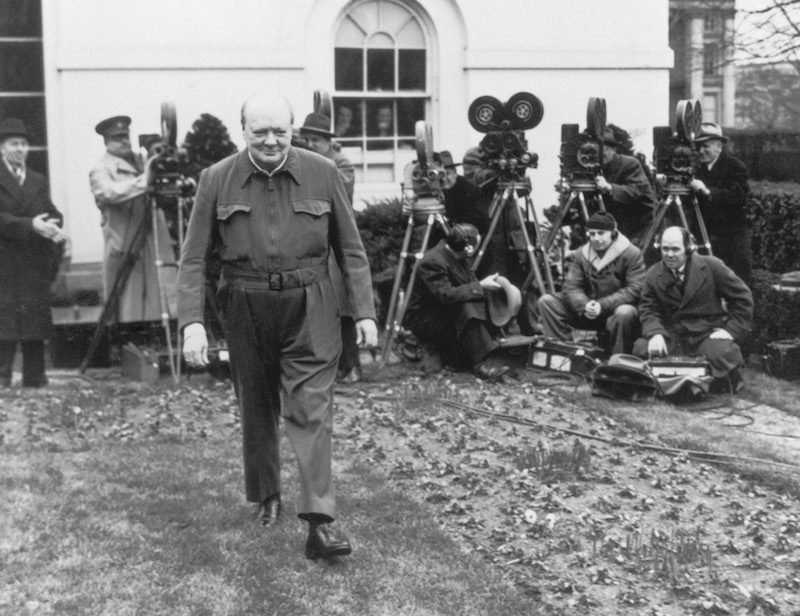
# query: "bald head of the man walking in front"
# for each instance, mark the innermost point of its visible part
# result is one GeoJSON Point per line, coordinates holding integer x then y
{"type": "Point", "coordinates": [267, 127]}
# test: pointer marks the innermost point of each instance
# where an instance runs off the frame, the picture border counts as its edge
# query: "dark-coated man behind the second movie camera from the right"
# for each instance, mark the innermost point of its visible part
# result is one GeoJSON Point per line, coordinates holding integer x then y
{"type": "Point", "coordinates": [626, 189]}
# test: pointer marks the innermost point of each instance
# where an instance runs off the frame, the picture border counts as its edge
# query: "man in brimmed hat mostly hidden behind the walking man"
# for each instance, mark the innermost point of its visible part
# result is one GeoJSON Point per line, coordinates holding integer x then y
{"type": "Point", "coordinates": [318, 135]}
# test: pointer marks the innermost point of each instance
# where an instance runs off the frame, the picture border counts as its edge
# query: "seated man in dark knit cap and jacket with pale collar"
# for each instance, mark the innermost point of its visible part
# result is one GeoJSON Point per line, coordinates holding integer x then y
{"type": "Point", "coordinates": [600, 291]}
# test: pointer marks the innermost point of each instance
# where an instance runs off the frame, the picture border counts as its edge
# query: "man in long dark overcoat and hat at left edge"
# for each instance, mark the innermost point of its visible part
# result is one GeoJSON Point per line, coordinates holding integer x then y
{"type": "Point", "coordinates": [31, 245]}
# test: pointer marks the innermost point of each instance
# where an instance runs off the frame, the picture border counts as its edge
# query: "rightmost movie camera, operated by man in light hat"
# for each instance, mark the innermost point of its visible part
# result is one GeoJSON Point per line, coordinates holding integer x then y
{"type": "Point", "coordinates": [675, 153]}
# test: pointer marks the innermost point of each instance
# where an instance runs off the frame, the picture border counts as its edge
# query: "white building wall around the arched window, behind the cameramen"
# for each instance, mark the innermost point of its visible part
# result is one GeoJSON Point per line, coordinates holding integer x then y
{"type": "Point", "coordinates": [108, 57]}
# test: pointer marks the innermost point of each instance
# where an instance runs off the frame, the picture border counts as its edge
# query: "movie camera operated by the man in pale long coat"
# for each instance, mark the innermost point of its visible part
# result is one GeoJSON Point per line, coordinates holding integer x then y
{"type": "Point", "coordinates": [169, 164]}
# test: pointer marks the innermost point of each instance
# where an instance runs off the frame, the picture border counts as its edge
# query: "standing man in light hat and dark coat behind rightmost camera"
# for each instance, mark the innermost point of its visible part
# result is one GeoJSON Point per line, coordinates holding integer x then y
{"type": "Point", "coordinates": [721, 187]}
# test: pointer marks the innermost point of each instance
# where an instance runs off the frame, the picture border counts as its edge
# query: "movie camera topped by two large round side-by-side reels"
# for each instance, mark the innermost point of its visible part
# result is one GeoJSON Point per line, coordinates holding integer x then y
{"type": "Point", "coordinates": [505, 149]}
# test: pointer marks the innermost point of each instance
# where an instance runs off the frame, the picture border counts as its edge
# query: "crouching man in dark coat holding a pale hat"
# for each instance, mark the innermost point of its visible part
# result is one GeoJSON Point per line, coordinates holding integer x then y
{"type": "Point", "coordinates": [447, 311]}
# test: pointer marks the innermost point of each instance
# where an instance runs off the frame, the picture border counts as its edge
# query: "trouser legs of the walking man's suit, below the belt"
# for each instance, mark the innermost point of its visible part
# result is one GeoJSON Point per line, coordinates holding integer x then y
{"type": "Point", "coordinates": [284, 348]}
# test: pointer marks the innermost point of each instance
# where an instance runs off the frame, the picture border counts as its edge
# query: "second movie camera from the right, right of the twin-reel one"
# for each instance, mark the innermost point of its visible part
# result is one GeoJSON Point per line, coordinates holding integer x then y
{"type": "Point", "coordinates": [582, 152]}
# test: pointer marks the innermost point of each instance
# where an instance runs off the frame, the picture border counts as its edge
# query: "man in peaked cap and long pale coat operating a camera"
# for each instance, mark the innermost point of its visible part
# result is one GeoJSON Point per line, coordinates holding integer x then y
{"type": "Point", "coordinates": [119, 182]}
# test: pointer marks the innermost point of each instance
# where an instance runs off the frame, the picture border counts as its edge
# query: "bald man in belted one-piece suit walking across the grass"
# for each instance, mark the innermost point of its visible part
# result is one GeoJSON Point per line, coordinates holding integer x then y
{"type": "Point", "coordinates": [272, 214]}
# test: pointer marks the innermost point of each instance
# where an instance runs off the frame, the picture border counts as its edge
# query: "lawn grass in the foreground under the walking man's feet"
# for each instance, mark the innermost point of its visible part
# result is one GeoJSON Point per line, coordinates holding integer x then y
{"type": "Point", "coordinates": [160, 527]}
